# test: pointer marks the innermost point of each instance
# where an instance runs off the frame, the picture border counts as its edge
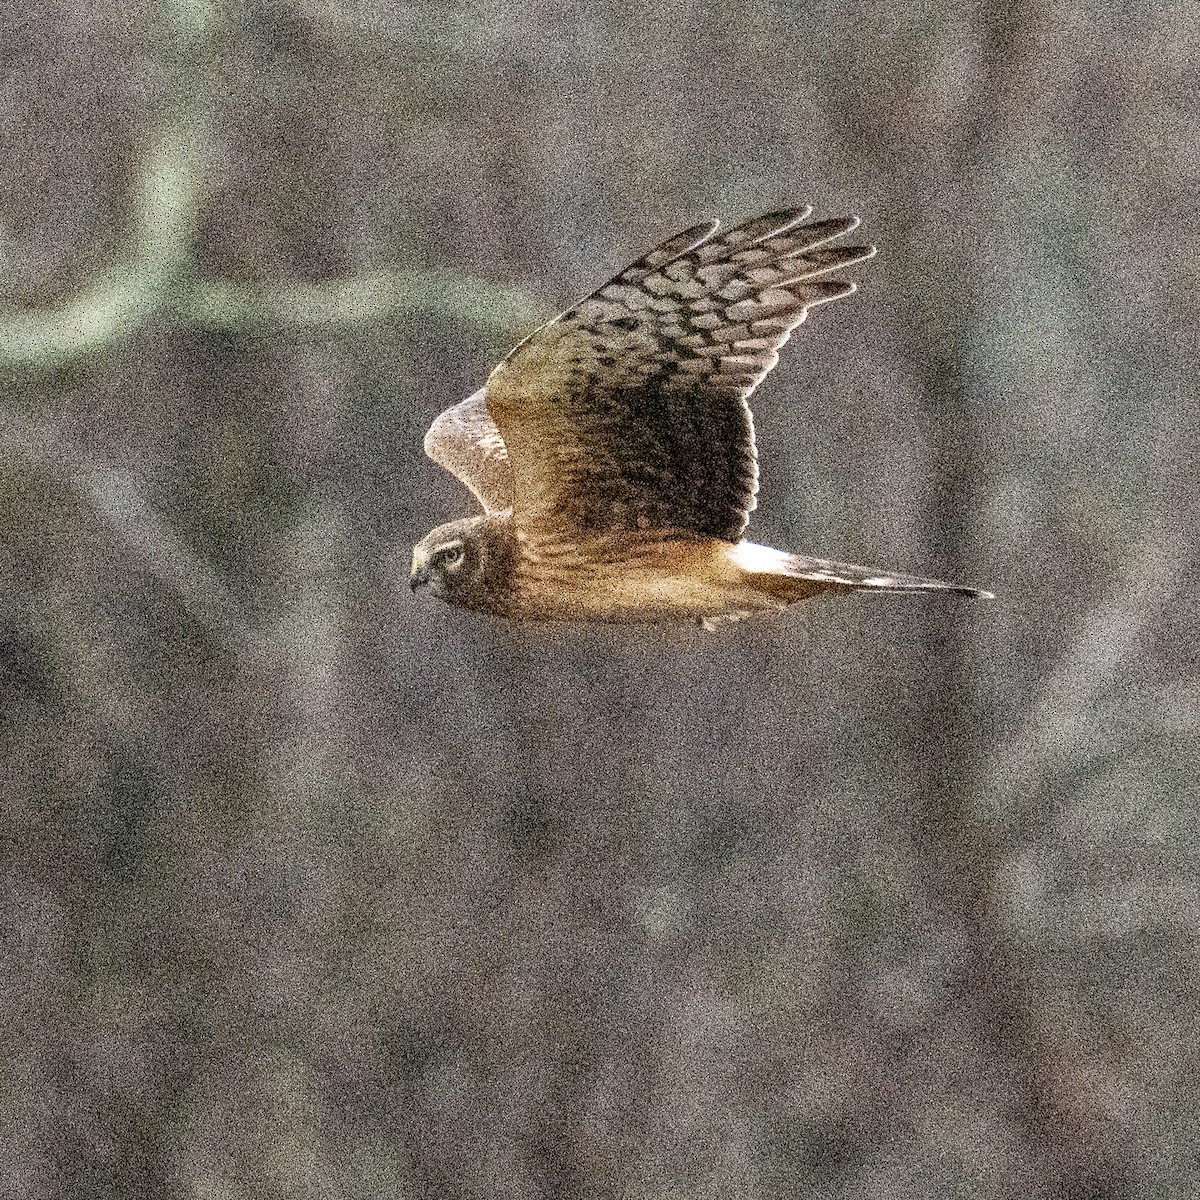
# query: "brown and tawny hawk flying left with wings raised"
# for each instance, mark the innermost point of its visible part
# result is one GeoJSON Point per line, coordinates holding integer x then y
{"type": "Point", "coordinates": [614, 451]}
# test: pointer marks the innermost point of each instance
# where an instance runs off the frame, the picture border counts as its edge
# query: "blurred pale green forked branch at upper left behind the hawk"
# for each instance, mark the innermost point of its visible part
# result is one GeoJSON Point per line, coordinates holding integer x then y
{"type": "Point", "coordinates": [155, 279]}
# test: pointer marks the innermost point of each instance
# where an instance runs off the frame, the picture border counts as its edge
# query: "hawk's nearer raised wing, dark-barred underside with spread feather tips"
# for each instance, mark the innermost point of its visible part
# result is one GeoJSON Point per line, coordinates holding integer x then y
{"type": "Point", "coordinates": [629, 411]}
